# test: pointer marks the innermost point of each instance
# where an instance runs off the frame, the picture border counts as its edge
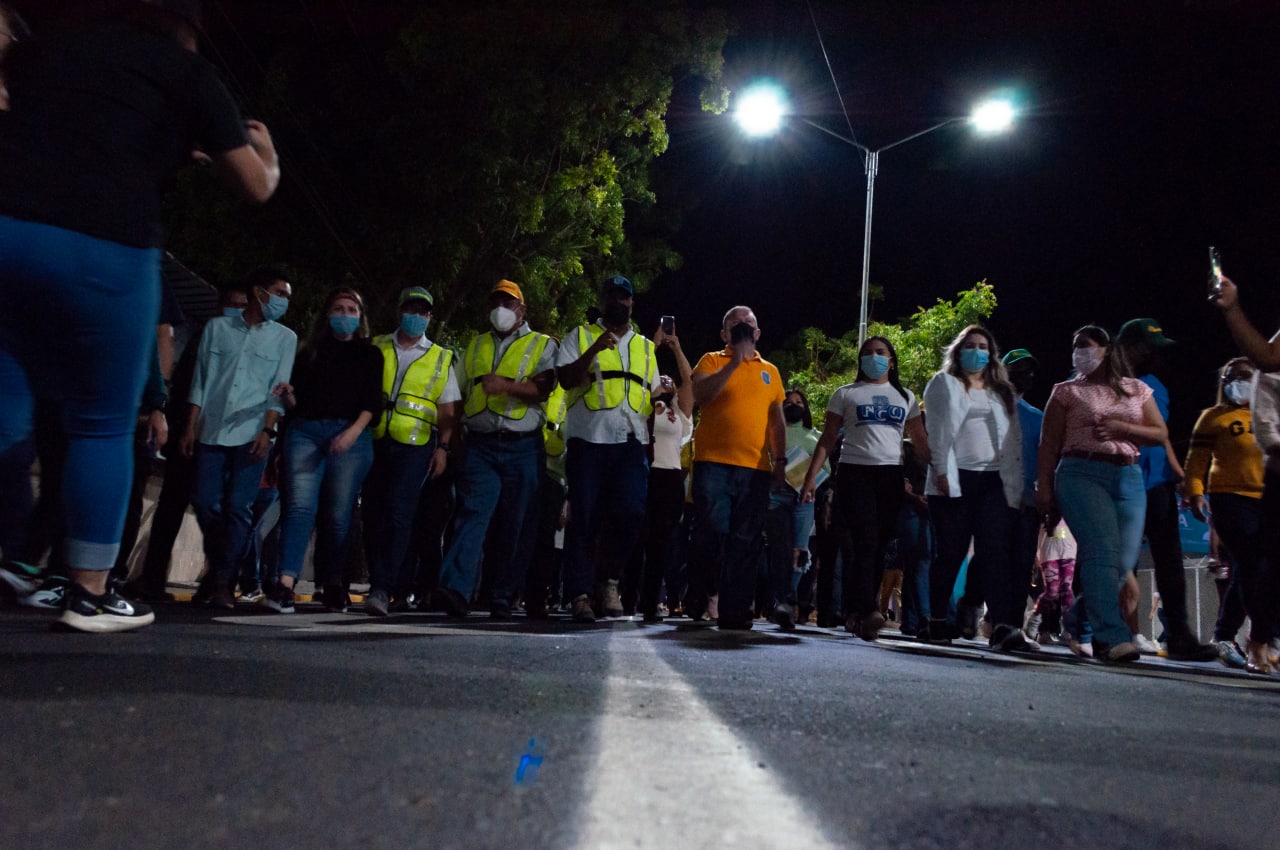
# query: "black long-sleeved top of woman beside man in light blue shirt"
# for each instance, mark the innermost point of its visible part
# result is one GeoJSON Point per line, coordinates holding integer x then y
{"type": "Point", "coordinates": [339, 380]}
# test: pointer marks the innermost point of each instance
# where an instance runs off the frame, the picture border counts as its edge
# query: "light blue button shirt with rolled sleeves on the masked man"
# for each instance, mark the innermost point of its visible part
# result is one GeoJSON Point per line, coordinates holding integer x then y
{"type": "Point", "coordinates": [236, 368]}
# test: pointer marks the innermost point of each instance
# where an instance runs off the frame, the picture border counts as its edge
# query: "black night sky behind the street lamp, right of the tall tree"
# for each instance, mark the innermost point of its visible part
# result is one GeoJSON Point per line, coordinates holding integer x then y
{"type": "Point", "coordinates": [1150, 134]}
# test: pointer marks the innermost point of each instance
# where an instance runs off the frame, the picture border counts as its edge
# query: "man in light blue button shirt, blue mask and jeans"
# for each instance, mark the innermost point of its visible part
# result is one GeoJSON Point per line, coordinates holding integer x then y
{"type": "Point", "coordinates": [234, 415]}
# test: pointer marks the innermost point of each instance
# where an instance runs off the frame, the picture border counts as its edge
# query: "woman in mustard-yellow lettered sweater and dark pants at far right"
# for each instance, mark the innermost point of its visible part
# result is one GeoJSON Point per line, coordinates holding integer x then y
{"type": "Point", "coordinates": [1226, 464]}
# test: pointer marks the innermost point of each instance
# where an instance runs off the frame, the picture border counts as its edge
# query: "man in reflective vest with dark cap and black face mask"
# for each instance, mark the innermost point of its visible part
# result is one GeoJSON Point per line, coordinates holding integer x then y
{"type": "Point", "coordinates": [610, 373]}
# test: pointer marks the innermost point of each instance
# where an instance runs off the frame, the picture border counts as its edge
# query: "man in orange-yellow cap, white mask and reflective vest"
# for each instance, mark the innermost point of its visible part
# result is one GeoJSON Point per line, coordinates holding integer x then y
{"type": "Point", "coordinates": [506, 376]}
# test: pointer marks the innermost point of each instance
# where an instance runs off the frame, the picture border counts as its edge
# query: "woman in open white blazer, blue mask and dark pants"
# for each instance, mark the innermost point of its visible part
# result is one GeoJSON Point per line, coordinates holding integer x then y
{"type": "Point", "coordinates": [975, 488]}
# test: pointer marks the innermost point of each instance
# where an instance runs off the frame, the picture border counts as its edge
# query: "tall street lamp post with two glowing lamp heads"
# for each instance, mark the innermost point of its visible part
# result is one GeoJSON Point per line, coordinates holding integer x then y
{"type": "Point", "coordinates": [761, 111]}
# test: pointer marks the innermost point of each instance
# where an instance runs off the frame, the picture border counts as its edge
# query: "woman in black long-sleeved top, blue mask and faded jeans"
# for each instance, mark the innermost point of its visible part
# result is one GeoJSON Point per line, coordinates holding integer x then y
{"type": "Point", "coordinates": [336, 391]}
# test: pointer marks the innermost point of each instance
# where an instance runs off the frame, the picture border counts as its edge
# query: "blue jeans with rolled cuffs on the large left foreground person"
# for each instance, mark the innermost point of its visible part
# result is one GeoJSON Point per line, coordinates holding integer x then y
{"type": "Point", "coordinates": [77, 328]}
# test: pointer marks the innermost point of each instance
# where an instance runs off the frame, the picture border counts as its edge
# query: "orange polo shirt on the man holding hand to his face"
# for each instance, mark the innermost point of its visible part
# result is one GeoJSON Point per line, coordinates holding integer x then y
{"type": "Point", "coordinates": [734, 428]}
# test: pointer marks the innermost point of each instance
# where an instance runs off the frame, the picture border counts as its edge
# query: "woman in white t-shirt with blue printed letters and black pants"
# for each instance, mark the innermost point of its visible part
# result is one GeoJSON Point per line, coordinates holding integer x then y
{"type": "Point", "coordinates": [872, 413]}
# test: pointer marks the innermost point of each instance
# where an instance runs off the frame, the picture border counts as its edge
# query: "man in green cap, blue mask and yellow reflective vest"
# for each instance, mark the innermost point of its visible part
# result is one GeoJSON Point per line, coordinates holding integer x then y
{"type": "Point", "coordinates": [412, 444]}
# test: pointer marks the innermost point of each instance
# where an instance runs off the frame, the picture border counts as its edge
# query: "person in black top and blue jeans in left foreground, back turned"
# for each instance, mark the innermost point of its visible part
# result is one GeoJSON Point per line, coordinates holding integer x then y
{"type": "Point", "coordinates": [100, 117]}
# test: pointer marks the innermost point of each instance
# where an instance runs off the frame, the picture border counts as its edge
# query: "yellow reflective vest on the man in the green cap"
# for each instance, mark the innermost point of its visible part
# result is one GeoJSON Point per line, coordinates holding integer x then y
{"type": "Point", "coordinates": [413, 414]}
